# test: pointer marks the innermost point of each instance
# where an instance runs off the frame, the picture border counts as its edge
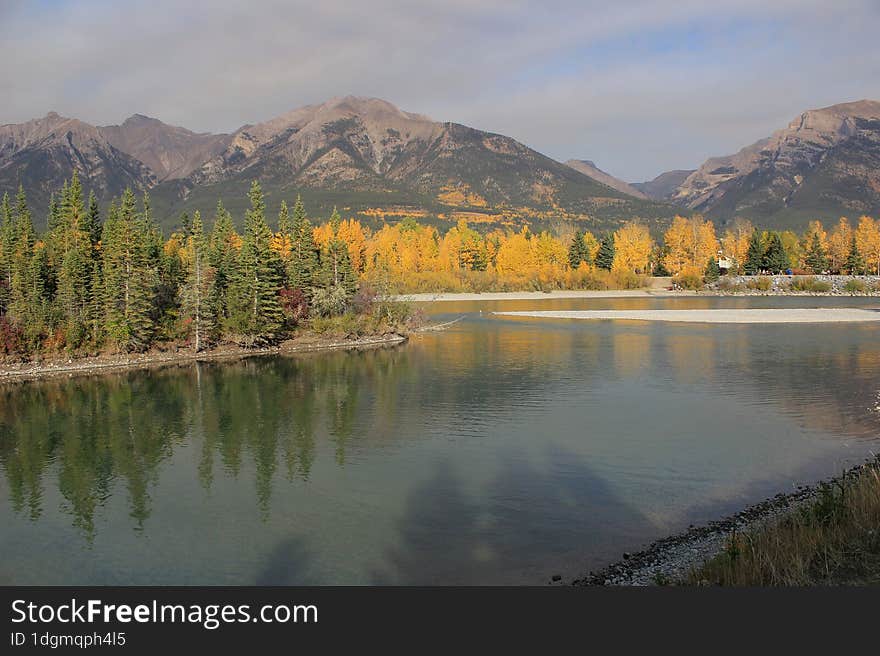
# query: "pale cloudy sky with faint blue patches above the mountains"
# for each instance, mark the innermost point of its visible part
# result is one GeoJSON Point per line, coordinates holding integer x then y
{"type": "Point", "coordinates": [639, 87]}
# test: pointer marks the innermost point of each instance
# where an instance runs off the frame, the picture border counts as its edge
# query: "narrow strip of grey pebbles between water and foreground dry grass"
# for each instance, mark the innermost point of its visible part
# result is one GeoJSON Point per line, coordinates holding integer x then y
{"type": "Point", "coordinates": [668, 560]}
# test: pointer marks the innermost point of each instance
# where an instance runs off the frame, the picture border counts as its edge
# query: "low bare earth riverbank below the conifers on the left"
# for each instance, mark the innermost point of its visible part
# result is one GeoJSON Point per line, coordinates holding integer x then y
{"type": "Point", "coordinates": [88, 365]}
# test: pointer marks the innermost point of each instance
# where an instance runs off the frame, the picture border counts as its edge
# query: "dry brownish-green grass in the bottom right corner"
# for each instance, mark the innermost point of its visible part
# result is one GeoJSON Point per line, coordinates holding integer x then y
{"type": "Point", "coordinates": [834, 540]}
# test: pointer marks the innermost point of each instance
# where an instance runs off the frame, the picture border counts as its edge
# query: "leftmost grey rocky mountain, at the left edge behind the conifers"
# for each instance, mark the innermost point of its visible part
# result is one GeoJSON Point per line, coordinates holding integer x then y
{"type": "Point", "coordinates": [42, 153]}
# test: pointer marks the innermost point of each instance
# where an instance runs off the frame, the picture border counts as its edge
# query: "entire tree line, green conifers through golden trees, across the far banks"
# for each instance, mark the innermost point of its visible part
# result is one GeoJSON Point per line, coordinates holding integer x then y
{"type": "Point", "coordinates": [96, 280]}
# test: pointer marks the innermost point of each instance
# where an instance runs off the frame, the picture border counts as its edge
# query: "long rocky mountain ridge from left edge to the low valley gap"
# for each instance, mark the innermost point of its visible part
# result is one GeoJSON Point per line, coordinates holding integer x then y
{"type": "Point", "coordinates": [363, 155]}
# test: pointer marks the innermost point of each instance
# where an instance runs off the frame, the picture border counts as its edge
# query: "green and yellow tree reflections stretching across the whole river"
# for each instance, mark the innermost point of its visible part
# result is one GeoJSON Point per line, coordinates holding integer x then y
{"type": "Point", "coordinates": [270, 415]}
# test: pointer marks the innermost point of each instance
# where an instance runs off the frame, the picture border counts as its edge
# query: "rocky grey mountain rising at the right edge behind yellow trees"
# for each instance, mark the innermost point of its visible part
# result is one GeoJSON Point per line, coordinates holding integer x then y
{"type": "Point", "coordinates": [825, 163]}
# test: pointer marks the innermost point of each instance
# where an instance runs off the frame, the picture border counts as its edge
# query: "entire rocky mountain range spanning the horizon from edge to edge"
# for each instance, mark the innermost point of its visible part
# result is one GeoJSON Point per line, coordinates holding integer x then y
{"type": "Point", "coordinates": [376, 161]}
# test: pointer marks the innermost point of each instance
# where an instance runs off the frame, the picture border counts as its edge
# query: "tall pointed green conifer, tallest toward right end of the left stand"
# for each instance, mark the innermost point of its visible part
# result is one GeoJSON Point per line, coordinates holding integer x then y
{"type": "Point", "coordinates": [255, 312]}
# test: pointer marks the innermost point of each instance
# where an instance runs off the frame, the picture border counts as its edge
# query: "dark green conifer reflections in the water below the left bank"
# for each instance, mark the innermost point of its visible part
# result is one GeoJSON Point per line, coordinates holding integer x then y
{"type": "Point", "coordinates": [118, 429]}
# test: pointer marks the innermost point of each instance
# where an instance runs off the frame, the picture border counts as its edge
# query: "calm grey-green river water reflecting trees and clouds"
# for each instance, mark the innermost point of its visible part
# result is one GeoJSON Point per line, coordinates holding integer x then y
{"type": "Point", "coordinates": [497, 451]}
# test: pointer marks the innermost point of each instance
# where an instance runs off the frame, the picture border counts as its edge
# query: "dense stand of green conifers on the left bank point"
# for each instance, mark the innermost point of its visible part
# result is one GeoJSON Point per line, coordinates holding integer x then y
{"type": "Point", "coordinates": [88, 283]}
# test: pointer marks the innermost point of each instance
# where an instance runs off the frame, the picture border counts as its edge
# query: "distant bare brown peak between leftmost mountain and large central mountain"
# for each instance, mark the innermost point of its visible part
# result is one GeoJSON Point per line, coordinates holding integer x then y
{"type": "Point", "coordinates": [170, 152]}
